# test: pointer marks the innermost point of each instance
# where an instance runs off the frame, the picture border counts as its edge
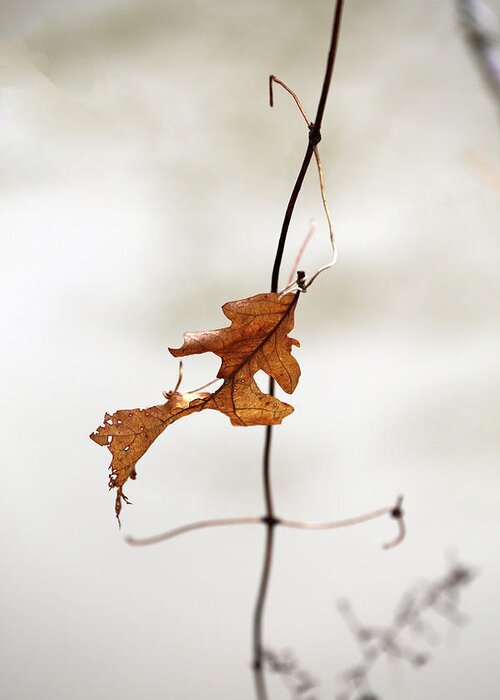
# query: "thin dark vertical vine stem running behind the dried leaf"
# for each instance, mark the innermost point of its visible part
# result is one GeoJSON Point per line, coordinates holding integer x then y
{"type": "Point", "coordinates": [270, 520]}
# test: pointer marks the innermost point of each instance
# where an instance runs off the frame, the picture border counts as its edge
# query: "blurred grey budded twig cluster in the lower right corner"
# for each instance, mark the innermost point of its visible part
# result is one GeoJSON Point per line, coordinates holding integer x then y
{"type": "Point", "coordinates": [413, 615]}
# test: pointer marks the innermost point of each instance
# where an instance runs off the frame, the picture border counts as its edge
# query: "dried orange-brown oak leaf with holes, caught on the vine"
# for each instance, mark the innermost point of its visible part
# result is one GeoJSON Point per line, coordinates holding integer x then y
{"type": "Point", "coordinates": [257, 339]}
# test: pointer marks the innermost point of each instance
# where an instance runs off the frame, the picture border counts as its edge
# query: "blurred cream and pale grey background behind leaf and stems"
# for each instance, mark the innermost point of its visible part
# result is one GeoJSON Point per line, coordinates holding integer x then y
{"type": "Point", "coordinates": [143, 180]}
